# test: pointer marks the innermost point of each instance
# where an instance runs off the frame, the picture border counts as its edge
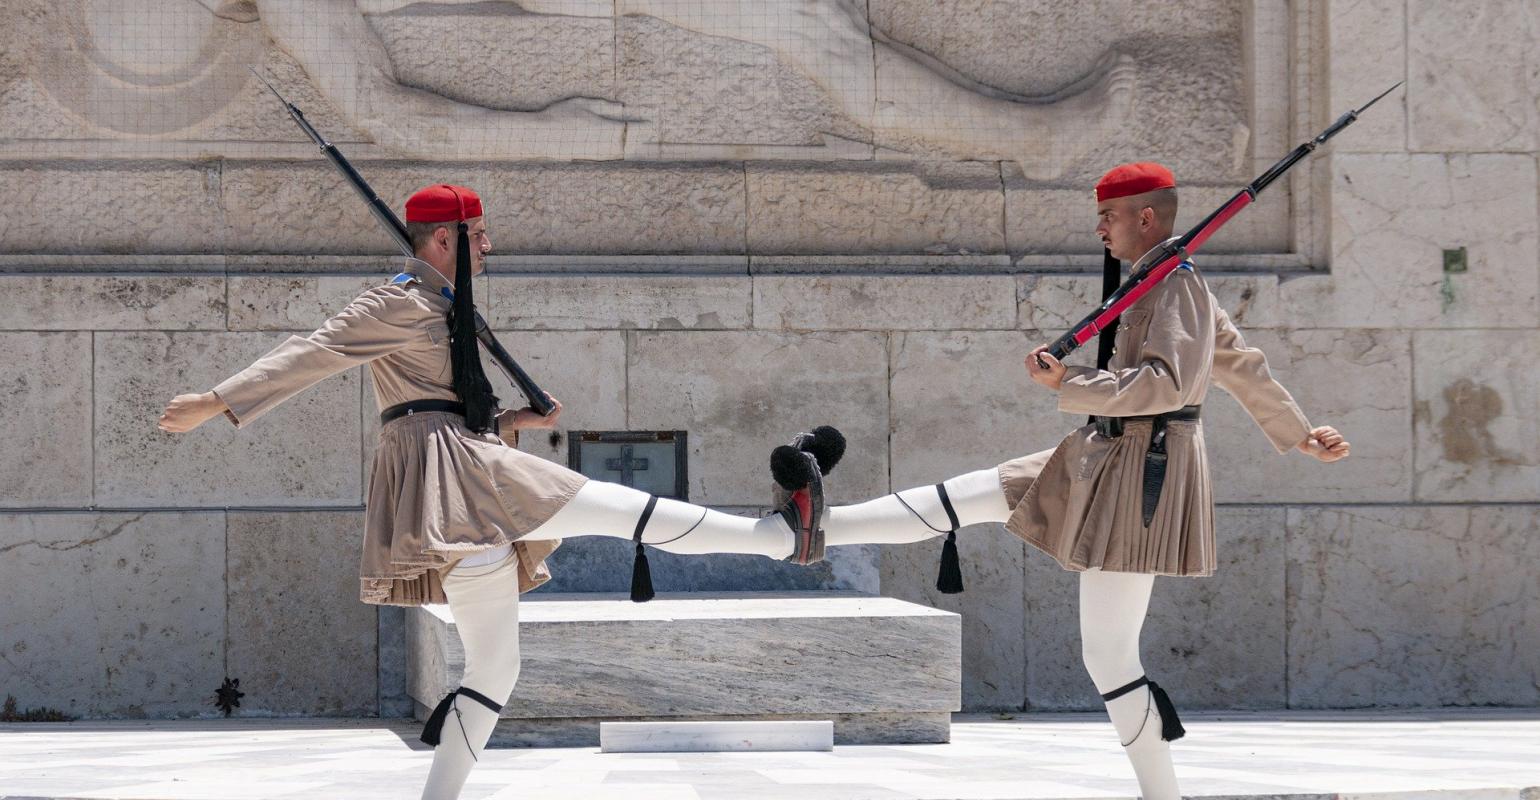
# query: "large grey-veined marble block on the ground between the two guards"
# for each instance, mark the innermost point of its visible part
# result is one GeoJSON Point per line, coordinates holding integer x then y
{"type": "Point", "coordinates": [840, 656]}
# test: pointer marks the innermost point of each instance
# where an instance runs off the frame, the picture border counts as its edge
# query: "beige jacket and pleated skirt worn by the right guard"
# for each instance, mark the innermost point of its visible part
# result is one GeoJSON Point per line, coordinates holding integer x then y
{"type": "Point", "coordinates": [1082, 503]}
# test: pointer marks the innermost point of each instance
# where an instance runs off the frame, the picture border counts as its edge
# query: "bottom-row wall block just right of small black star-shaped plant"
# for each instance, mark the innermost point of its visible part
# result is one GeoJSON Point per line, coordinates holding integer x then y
{"type": "Point", "coordinates": [298, 639]}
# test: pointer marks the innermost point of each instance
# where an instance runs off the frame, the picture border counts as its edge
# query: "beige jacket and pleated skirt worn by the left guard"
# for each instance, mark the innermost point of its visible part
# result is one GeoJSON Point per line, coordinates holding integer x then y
{"type": "Point", "coordinates": [438, 491]}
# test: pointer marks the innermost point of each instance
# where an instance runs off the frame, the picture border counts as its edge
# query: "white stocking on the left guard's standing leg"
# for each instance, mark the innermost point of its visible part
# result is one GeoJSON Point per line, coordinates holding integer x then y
{"type": "Point", "coordinates": [486, 607]}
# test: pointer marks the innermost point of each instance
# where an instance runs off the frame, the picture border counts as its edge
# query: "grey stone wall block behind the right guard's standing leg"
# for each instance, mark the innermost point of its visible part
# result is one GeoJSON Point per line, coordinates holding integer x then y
{"type": "Point", "coordinates": [1211, 642]}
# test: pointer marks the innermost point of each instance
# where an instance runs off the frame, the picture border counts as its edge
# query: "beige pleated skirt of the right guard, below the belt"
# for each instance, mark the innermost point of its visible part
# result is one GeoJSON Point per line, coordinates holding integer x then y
{"type": "Point", "coordinates": [1083, 503]}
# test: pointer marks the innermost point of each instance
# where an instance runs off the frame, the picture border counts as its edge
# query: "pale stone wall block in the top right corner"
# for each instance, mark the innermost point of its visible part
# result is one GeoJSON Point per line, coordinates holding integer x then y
{"type": "Point", "coordinates": [1467, 104]}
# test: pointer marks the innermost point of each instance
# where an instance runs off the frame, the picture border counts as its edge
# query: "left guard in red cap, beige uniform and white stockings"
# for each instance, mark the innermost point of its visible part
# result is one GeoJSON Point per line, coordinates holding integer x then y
{"type": "Point", "coordinates": [454, 513]}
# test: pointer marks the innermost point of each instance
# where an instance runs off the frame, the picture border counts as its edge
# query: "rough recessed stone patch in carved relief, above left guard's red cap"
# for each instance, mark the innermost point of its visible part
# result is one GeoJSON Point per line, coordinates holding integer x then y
{"type": "Point", "coordinates": [504, 58]}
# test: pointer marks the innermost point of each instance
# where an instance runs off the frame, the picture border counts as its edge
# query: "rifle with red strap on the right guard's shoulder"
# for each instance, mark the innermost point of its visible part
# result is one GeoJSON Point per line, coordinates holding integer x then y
{"type": "Point", "coordinates": [1176, 250]}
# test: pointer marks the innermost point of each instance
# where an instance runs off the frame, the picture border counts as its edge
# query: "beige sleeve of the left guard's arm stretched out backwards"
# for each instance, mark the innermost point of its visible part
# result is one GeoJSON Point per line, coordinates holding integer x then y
{"type": "Point", "coordinates": [378, 323]}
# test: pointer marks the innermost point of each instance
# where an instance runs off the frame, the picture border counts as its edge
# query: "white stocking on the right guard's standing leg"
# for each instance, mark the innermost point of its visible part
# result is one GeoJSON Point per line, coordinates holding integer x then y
{"type": "Point", "coordinates": [1113, 608]}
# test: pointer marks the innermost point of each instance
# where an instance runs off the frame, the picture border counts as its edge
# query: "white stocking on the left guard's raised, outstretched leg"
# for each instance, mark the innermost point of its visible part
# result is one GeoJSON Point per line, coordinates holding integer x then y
{"type": "Point", "coordinates": [604, 509]}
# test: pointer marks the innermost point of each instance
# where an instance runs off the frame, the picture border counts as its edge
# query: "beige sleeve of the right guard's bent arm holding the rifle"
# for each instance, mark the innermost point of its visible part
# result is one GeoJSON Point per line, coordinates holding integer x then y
{"type": "Point", "coordinates": [1173, 360]}
